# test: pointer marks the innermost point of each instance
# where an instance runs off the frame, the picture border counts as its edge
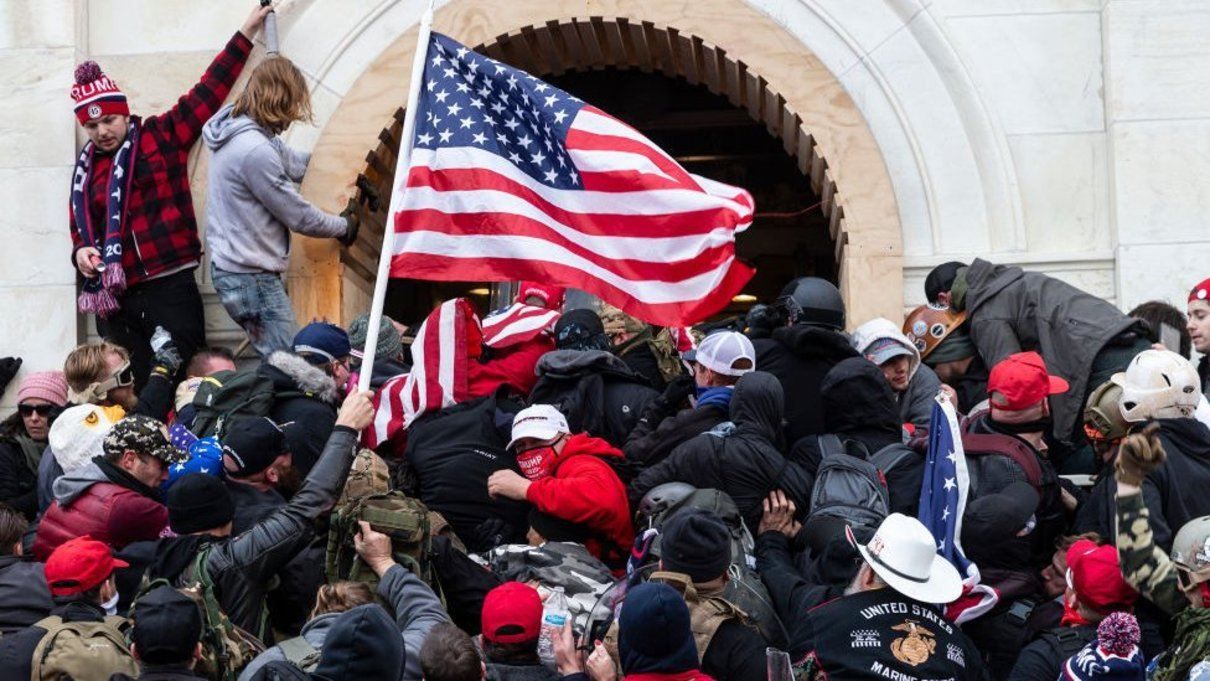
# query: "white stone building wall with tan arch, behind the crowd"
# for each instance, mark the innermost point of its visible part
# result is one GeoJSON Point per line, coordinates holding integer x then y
{"type": "Point", "coordinates": [1067, 136]}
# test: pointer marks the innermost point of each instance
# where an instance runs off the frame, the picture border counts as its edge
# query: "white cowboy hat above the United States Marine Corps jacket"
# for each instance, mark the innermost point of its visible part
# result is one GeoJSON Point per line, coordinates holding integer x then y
{"type": "Point", "coordinates": [904, 555]}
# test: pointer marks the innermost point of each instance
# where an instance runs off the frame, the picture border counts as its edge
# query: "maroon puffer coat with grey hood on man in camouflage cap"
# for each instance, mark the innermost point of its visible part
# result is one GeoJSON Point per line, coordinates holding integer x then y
{"type": "Point", "coordinates": [103, 503]}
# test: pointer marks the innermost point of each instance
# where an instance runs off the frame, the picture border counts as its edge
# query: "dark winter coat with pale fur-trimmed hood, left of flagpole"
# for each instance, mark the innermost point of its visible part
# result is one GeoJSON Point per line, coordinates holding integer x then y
{"type": "Point", "coordinates": [312, 415]}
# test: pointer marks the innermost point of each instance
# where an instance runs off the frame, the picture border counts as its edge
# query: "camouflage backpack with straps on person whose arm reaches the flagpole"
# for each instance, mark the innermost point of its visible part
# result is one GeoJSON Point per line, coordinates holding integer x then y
{"type": "Point", "coordinates": [227, 649]}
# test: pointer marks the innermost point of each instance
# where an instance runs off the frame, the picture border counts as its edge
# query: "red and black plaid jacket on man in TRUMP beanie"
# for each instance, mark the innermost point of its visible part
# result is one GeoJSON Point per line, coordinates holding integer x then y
{"type": "Point", "coordinates": [162, 232]}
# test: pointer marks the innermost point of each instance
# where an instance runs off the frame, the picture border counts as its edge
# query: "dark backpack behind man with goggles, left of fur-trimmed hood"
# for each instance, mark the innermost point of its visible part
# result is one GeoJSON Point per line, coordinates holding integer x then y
{"type": "Point", "coordinates": [224, 395]}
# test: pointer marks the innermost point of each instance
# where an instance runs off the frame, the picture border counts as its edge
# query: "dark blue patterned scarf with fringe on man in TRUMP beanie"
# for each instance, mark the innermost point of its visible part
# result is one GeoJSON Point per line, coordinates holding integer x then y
{"type": "Point", "coordinates": [101, 293]}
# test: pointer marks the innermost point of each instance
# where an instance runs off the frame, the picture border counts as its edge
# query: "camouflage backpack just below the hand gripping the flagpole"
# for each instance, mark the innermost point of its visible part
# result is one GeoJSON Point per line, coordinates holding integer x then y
{"type": "Point", "coordinates": [408, 523]}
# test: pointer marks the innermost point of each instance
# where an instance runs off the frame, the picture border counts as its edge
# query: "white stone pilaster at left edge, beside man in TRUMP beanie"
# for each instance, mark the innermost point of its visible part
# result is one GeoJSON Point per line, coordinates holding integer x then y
{"type": "Point", "coordinates": [38, 53]}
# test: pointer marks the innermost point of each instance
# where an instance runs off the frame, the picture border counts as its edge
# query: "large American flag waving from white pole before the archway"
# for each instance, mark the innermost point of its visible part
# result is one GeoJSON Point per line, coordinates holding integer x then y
{"type": "Point", "coordinates": [512, 178]}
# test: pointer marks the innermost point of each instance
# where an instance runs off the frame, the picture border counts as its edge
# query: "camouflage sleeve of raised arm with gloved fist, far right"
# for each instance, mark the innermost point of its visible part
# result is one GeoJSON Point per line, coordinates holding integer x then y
{"type": "Point", "coordinates": [1145, 567]}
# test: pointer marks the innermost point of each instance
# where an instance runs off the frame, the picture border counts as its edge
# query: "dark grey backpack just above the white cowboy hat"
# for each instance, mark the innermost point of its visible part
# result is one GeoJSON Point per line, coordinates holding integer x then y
{"type": "Point", "coordinates": [851, 483]}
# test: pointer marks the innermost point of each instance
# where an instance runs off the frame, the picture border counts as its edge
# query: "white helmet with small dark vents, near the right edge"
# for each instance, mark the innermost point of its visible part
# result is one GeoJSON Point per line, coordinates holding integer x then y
{"type": "Point", "coordinates": [1159, 384]}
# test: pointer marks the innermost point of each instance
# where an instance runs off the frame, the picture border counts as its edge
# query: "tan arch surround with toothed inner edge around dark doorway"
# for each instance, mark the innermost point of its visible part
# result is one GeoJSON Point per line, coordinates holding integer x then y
{"type": "Point", "coordinates": [727, 47]}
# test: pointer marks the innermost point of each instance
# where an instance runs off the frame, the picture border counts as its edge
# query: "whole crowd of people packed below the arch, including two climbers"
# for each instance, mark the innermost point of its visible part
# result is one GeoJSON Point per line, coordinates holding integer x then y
{"type": "Point", "coordinates": [577, 494]}
